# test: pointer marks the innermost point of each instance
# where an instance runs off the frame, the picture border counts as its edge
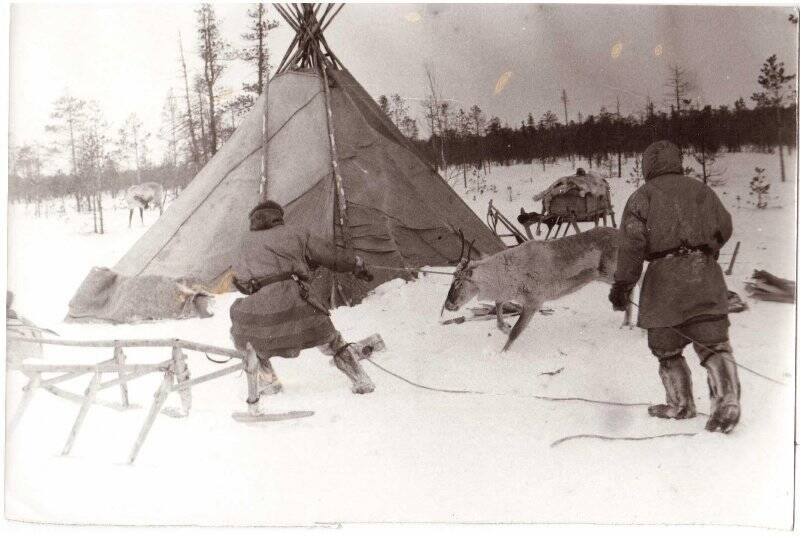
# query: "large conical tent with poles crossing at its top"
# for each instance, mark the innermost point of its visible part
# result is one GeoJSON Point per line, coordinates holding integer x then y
{"type": "Point", "coordinates": [319, 145]}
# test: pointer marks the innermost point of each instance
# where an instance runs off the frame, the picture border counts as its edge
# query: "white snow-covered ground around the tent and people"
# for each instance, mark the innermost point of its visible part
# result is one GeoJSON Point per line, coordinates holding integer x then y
{"type": "Point", "coordinates": [402, 453]}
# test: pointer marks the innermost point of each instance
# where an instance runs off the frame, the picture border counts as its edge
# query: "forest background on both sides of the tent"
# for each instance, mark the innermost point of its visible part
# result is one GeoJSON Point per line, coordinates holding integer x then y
{"type": "Point", "coordinates": [91, 157]}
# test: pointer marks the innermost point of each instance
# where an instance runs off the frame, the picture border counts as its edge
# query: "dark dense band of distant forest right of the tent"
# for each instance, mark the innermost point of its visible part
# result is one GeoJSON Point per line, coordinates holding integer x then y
{"type": "Point", "coordinates": [605, 138]}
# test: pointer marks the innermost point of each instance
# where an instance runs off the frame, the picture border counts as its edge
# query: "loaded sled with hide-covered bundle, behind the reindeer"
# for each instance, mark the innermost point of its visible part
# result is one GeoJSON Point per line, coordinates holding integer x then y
{"type": "Point", "coordinates": [583, 197]}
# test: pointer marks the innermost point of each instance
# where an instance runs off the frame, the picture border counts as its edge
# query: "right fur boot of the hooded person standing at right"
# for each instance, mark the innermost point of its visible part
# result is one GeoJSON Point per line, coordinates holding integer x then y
{"type": "Point", "coordinates": [724, 388]}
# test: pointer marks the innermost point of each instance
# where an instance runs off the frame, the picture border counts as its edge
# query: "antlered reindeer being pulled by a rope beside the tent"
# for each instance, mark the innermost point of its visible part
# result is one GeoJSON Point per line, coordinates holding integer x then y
{"type": "Point", "coordinates": [533, 273]}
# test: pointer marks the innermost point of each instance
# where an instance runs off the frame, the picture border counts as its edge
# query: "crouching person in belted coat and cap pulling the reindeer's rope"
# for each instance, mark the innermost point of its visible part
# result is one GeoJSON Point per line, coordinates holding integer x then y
{"type": "Point", "coordinates": [280, 316]}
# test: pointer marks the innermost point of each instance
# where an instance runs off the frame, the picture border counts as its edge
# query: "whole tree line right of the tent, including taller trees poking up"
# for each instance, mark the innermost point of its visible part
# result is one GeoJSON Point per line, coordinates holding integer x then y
{"type": "Point", "coordinates": [462, 138]}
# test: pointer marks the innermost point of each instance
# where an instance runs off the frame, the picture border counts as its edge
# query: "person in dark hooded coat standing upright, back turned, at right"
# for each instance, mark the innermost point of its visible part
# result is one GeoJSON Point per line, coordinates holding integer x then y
{"type": "Point", "coordinates": [678, 225]}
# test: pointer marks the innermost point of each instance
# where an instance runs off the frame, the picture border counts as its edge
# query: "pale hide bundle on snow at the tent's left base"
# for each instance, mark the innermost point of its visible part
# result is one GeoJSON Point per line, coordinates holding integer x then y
{"type": "Point", "coordinates": [107, 296]}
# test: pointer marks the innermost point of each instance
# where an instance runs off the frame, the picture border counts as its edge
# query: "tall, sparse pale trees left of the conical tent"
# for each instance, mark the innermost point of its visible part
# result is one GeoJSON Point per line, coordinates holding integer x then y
{"type": "Point", "coordinates": [91, 157]}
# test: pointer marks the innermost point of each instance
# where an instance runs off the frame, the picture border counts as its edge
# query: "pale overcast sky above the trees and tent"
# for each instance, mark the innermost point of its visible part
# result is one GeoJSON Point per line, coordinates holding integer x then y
{"type": "Point", "coordinates": [125, 56]}
